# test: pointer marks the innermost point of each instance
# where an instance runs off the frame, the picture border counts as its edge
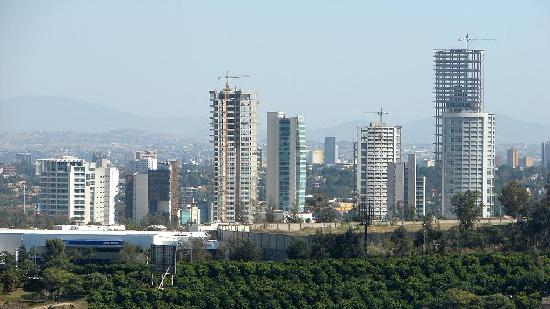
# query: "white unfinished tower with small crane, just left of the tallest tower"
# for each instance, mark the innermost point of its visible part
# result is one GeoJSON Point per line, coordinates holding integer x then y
{"type": "Point", "coordinates": [377, 146]}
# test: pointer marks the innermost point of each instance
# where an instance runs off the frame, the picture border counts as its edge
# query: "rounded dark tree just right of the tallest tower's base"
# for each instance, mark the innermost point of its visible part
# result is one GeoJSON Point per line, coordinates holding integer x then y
{"type": "Point", "coordinates": [515, 200]}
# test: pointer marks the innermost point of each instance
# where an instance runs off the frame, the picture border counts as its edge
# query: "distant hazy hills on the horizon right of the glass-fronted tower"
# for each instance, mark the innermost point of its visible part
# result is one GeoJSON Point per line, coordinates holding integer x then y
{"type": "Point", "coordinates": [509, 130]}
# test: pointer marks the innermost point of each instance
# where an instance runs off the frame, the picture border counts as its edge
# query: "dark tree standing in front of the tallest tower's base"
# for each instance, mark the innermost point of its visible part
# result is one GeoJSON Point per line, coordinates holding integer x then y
{"type": "Point", "coordinates": [467, 209]}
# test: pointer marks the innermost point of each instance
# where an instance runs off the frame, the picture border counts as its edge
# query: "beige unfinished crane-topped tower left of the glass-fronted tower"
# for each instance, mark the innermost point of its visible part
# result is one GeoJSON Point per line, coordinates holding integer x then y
{"type": "Point", "coordinates": [233, 125]}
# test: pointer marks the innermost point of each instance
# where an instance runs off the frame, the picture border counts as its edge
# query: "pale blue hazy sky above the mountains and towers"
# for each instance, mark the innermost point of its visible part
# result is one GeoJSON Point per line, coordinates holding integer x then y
{"type": "Point", "coordinates": [326, 60]}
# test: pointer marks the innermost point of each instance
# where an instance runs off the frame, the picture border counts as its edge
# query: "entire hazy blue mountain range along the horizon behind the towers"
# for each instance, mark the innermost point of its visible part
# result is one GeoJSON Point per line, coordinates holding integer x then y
{"type": "Point", "coordinates": [47, 113]}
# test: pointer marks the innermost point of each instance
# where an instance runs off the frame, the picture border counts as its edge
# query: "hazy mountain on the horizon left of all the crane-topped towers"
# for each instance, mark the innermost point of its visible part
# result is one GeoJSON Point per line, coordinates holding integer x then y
{"type": "Point", "coordinates": [29, 113]}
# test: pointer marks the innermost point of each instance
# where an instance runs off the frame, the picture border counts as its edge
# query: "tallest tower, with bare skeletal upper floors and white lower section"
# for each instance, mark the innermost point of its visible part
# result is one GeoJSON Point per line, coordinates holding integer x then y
{"type": "Point", "coordinates": [465, 135]}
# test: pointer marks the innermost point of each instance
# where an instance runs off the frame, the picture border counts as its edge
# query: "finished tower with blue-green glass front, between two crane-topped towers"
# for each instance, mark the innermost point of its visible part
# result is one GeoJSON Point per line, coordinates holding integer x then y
{"type": "Point", "coordinates": [286, 170]}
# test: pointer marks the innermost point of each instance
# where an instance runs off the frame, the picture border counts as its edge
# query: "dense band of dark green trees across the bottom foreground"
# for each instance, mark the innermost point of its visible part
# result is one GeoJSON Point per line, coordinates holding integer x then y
{"type": "Point", "coordinates": [434, 281]}
